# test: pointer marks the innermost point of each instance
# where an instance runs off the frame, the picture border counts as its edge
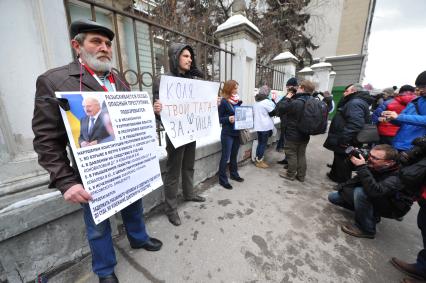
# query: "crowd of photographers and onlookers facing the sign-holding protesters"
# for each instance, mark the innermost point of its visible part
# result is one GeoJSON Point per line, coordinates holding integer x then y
{"type": "Point", "coordinates": [381, 177]}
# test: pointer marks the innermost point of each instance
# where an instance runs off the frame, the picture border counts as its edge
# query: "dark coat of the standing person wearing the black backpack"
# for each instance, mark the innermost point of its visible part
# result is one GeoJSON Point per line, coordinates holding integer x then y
{"type": "Point", "coordinates": [293, 109]}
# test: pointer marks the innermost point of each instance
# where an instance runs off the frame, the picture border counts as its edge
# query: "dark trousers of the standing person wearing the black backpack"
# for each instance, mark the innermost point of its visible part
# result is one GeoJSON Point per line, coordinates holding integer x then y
{"type": "Point", "coordinates": [295, 153]}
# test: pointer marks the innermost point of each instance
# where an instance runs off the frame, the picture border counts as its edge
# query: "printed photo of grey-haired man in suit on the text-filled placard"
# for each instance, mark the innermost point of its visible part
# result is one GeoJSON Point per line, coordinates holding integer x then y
{"type": "Point", "coordinates": [89, 120]}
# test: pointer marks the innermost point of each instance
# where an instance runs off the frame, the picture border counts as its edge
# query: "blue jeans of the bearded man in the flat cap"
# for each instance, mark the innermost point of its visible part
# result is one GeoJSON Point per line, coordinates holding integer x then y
{"type": "Point", "coordinates": [100, 240]}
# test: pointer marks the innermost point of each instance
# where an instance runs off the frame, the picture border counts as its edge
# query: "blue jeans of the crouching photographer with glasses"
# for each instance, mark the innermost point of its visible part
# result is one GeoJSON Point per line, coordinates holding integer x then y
{"type": "Point", "coordinates": [361, 205]}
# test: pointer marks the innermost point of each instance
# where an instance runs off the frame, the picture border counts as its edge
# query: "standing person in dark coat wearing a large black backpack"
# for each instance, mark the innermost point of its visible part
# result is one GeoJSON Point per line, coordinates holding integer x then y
{"type": "Point", "coordinates": [296, 141]}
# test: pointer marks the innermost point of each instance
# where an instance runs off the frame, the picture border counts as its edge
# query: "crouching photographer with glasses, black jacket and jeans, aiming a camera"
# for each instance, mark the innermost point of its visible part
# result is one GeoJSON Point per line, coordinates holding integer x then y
{"type": "Point", "coordinates": [374, 192]}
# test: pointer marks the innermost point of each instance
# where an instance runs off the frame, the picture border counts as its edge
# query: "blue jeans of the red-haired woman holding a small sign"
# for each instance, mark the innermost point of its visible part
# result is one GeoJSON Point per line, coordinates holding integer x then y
{"type": "Point", "coordinates": [230, 146]}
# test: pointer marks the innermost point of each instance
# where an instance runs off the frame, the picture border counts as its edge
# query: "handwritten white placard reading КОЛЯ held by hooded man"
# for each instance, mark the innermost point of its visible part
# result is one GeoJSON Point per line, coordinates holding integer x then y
{"type": "Point", "coordinates": [189, 108]}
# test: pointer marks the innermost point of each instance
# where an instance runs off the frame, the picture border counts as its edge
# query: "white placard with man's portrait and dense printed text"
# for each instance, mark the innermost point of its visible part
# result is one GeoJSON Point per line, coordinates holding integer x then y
{"type": "Point", "coordinates": [116, 152]}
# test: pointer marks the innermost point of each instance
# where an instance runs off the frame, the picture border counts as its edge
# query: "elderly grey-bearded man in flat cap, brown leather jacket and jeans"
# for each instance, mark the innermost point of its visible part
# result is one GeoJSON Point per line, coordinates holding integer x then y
{"type": "Point", "coordinates": [91, 71]}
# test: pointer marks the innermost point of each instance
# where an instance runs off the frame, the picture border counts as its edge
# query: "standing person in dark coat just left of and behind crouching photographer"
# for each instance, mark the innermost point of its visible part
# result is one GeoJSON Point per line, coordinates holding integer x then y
{"type": "Point", "coordinates": [351, 115]}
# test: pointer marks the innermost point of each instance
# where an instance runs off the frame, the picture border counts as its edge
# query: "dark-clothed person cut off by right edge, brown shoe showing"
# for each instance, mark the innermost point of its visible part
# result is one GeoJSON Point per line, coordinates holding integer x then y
{"type": "Point", "coordinates": [413, 177]}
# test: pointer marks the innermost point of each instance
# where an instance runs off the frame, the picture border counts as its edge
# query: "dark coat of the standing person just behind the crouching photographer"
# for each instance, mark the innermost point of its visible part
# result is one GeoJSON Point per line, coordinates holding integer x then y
{"type": "Point", "coordinates": [351, 115]}
